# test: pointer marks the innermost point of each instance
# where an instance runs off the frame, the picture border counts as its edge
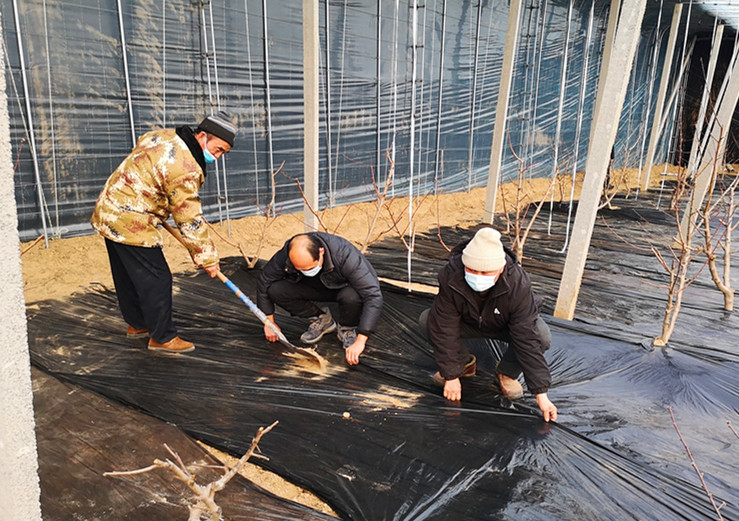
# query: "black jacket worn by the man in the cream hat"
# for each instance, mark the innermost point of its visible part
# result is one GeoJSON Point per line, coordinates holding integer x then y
{"type": "Point", "coordinates": [510, 304]}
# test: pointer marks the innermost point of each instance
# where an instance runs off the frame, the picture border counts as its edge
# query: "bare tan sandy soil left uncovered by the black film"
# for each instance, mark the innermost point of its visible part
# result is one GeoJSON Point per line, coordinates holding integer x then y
{"type": "Point", "coordinates": [75, 264]}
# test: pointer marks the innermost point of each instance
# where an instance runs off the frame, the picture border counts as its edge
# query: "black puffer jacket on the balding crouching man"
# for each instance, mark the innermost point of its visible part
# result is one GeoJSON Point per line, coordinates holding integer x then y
{"type": "Point", "coordinates": [343, 265]}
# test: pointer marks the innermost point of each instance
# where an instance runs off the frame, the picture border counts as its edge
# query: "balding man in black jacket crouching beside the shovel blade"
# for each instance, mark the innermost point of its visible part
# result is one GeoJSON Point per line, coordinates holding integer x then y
{"type": "Point", "coordinates": [320, 267]}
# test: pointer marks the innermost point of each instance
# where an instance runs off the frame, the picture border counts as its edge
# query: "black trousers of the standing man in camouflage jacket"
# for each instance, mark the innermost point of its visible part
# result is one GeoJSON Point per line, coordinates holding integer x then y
{"type": "Point", "coordinates": [143, 285]}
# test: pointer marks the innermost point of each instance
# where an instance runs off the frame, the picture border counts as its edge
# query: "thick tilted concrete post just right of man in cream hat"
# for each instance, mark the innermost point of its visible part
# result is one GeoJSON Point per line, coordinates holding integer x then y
{"type": "Point", "coordinates": [614, 87]}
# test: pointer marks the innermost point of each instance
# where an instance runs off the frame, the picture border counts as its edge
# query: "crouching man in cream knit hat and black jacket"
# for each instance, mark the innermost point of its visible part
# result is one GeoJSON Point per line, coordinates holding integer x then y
{"type": "Point", "coordinates": [484, 292]}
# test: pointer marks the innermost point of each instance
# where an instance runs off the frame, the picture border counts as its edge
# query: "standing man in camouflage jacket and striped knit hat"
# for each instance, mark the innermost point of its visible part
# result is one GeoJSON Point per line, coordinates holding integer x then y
{"type": "Point", "coordinates": [160, 177]}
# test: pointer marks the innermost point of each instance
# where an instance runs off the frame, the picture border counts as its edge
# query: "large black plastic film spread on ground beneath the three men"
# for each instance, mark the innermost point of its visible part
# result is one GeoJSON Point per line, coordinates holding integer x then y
{"type": "Point", "coordinates": [380, 442]}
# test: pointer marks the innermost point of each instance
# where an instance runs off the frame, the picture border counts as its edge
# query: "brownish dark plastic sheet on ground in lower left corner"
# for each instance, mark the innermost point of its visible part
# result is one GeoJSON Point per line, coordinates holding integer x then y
{"type": "Point", "coordinates": [80, 435]}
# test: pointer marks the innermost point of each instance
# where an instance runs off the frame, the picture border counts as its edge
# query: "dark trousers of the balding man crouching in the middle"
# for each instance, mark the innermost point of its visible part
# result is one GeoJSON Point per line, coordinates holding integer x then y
{"type": "Point", "coordinates": [299, 298]}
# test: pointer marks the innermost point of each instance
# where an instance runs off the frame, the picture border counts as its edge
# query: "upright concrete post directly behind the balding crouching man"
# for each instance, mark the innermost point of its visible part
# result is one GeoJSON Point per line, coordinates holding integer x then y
{"type": "Point", "coordinates": [311, 50]}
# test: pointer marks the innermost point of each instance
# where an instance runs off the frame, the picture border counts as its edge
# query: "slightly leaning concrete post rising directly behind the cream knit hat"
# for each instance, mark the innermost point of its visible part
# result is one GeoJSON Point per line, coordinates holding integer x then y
{"type": "Point", "coordinates": [501, 110]}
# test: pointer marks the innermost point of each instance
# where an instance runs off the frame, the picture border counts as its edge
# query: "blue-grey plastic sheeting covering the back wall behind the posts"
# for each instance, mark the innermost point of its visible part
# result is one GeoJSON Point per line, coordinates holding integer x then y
{"type": "Point", "coordinates": [84, 108]}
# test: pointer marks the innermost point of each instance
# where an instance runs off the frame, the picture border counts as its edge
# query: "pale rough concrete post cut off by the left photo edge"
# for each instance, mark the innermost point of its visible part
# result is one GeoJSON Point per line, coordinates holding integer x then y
{"type": "Point", "coordinates": [19, 484]}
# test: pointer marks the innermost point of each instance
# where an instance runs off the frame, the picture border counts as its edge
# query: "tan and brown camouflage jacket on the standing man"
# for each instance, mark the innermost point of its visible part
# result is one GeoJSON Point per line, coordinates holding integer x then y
{"type": "Point", "coordinates": [159, 178]}
